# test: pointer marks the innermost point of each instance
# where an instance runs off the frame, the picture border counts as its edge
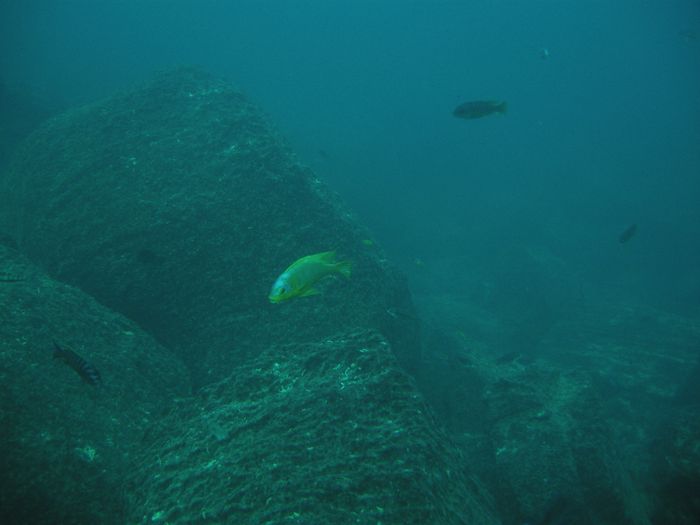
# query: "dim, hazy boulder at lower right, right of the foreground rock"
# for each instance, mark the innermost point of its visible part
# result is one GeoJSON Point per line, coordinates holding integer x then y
{"type": "Point", "coordinates": [554, 449]}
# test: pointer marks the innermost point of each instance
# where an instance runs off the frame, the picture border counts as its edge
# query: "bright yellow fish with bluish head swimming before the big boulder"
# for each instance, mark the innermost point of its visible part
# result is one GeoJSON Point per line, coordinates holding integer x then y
{"type": "Point", "coordinates": [299, 279]}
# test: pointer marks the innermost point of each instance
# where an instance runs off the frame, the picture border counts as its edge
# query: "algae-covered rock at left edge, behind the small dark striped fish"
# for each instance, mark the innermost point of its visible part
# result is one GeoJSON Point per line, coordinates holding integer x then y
{"type": "Point", "coordinates": [66, 445]}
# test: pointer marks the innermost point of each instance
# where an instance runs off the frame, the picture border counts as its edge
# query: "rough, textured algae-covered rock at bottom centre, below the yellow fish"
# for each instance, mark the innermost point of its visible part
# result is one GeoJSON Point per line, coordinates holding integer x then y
{"type": "Point", "coordinates": [326, 432]}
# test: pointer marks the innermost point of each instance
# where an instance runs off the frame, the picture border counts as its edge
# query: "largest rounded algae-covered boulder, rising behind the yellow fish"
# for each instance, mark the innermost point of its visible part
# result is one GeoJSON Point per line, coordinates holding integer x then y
{"type": "Point", "coordinates": [178, 205]}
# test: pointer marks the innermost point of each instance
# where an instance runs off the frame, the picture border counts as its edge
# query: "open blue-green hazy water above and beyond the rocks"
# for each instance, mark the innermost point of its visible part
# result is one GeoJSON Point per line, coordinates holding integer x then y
{"type": "Point", "coordinates": [601, 134]}
